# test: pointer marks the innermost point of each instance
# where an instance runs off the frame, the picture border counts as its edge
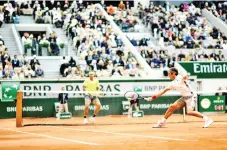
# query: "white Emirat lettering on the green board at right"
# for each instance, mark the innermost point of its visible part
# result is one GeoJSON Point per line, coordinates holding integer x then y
{"type": "Point", "coordinates": [210, 68]}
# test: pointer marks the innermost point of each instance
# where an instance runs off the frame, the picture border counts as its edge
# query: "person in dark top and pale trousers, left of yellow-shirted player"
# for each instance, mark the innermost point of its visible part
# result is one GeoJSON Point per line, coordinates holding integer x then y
{"type": "Point", "coordinates": [63, 98]}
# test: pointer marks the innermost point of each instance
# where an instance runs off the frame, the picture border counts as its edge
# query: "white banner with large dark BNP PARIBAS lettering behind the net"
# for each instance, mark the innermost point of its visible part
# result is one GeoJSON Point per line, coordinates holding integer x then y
{"type": "Point", "coordinates": [77, 85]}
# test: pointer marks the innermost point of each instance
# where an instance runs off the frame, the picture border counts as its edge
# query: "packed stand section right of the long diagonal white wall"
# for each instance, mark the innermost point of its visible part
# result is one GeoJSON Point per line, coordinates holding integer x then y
{"type": "Point", "coordinates": [175, 27]}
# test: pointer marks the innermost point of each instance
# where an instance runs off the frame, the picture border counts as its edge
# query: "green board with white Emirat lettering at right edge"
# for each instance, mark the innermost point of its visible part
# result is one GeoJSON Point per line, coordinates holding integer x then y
{"type": "Point", "coordinates": [206, 69]}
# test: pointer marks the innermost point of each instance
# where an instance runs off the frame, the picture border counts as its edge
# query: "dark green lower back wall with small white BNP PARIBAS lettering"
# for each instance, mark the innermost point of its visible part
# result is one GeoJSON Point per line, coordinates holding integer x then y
{"type": "Point", "coordinates": [110, 106]}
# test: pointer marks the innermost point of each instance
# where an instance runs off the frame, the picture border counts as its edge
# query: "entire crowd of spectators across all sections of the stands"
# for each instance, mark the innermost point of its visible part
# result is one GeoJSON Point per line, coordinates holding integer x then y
{"type": "Point", "coordinates": [101, 50]}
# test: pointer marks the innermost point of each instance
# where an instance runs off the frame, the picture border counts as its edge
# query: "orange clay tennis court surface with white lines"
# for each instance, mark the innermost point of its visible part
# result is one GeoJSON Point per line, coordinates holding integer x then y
{"type": "Point", "coordinates": [114, 132]}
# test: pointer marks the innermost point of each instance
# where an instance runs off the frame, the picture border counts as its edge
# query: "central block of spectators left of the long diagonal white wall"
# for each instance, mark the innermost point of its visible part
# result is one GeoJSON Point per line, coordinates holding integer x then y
{"type": "Point", "coordinates": [97, 46]}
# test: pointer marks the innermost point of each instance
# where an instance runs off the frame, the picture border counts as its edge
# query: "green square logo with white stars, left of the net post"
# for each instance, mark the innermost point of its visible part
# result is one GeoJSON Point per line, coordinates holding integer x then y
{"type": "Point", "coordinates": [9, 90]}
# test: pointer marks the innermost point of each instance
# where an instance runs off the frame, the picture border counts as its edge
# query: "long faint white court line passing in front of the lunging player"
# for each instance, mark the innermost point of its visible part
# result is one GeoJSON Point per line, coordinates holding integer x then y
{"type": "Point", "coordinates": [128, 134]}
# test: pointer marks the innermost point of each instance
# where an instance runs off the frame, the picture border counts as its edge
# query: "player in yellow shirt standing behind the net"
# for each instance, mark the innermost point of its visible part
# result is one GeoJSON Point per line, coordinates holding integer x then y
{"type": "Point", "coordinates": [91, 85]}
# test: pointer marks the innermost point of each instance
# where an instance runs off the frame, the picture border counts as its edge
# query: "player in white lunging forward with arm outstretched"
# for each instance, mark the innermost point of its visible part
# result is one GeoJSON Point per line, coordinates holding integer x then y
{"type": "Point", "coordinates": [188, 98]}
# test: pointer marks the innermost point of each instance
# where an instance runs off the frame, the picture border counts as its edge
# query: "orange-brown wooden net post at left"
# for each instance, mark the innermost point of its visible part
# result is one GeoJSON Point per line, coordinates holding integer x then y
{"type": "Point", "coordinates": [19, 109]}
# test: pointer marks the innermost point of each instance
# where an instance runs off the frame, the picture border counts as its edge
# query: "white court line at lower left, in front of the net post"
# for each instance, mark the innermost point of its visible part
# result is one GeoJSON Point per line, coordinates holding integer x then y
{"type": "Point", "coordinates": [48, 136]}
